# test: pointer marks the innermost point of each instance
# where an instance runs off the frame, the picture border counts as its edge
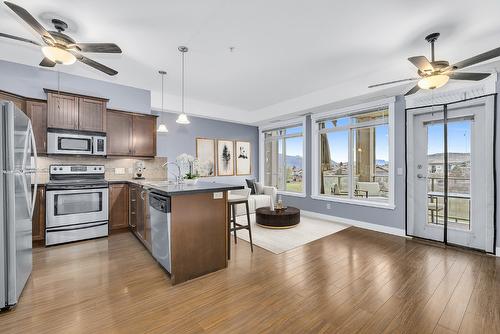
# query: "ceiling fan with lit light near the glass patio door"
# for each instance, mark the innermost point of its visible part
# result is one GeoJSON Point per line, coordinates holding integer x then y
{"type": "Point", "coordinates": [436, 73]}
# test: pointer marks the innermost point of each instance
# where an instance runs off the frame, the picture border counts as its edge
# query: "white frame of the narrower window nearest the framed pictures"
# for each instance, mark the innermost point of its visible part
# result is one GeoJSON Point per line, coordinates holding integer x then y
{"type": "Point", "coordinates": [301, 121]}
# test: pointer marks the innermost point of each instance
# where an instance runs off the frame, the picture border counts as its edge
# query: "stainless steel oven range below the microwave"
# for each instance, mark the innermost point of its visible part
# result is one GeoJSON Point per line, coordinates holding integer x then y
{"type": "Point", "coordinates": [76, 203]}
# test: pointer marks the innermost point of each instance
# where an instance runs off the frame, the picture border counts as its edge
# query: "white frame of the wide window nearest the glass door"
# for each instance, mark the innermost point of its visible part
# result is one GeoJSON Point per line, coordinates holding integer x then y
{"type": "Point", "coordinates": [315, 150]}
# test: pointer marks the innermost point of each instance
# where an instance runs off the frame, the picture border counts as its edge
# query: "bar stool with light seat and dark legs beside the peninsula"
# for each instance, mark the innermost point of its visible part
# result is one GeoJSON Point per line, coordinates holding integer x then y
{"type": "Point", "coordinates": [235, 198]}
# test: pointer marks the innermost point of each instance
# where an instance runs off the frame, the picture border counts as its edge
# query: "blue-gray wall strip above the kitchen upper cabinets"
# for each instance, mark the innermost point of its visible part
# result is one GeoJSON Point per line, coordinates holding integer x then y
{"type": "Point", "coordinates": [30, 81]}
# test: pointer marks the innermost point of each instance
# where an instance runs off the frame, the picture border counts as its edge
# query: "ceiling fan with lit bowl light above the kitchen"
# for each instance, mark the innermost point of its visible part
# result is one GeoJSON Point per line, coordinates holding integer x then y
{"type": "Point", "coordinates": [59, 48]}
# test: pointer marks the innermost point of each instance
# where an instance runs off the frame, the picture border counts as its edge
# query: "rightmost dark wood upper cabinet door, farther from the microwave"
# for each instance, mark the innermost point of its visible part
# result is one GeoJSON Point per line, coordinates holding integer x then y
{"type": "Point", "coordinates": [144, 135]}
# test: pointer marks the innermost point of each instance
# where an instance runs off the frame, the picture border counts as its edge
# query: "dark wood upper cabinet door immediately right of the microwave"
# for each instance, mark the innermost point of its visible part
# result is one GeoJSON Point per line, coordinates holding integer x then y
{"type": "Point", "coordinates": [119, 133]}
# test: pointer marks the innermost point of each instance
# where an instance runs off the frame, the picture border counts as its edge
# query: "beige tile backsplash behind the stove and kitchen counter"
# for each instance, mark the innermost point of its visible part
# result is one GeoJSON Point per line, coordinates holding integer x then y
{"type": "Point", "coordinates": [116, 168]}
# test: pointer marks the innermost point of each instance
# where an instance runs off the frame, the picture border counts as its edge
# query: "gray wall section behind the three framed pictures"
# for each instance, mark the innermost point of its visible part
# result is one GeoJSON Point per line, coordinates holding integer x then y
{"type": "Point", "coordinates": [182, 139]}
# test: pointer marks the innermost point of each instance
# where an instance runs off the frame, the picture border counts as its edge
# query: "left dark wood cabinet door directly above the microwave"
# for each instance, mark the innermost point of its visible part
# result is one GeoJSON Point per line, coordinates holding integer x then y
{"type": "Point", "coordinates": [62, 111]}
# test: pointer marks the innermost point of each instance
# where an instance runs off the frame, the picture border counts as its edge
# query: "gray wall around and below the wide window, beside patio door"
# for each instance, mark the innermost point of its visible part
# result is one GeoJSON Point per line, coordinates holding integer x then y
{"type": "Point", "coordinates": [387, 217]}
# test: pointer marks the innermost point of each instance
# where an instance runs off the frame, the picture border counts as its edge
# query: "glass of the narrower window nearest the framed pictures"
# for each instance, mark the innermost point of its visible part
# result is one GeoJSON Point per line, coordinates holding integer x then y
{"type": "Point", "coordinates": [284, 158]}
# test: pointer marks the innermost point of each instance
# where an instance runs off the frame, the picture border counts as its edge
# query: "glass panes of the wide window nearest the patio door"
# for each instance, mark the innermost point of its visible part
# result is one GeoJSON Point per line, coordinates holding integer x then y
{"type": "Point", "coordinates": [354, 161]}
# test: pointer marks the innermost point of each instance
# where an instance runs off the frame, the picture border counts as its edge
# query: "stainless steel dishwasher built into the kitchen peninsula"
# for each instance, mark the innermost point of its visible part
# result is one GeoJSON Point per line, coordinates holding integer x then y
{"type": "Point", "coordinates": [159, 210]}
